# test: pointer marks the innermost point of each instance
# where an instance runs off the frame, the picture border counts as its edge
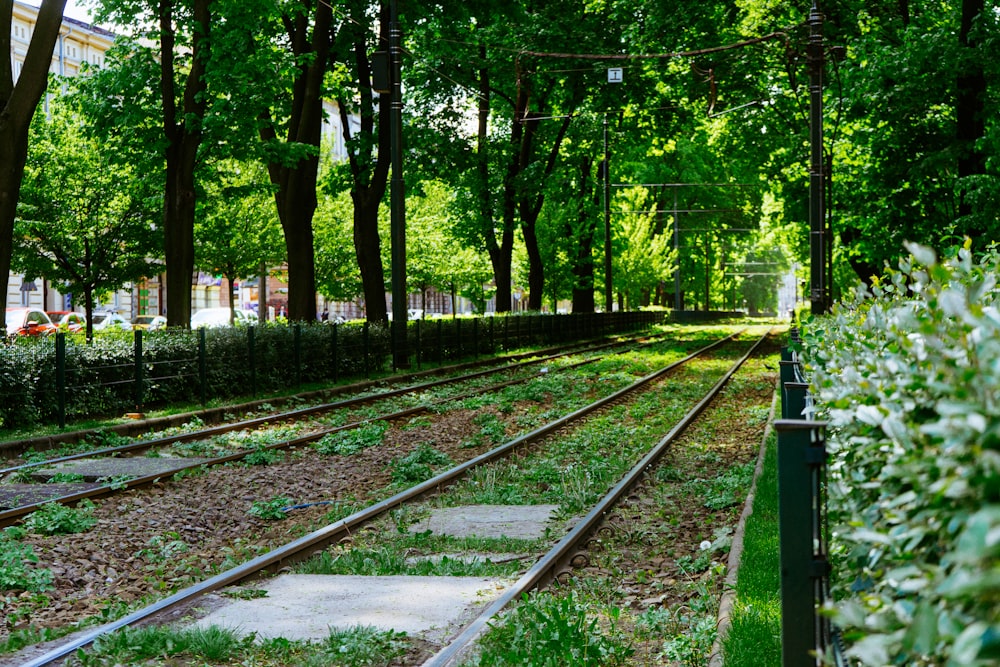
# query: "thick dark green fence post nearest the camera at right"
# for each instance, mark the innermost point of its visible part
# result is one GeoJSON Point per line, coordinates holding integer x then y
{"type": "Point", "coordinates": [801, 457]}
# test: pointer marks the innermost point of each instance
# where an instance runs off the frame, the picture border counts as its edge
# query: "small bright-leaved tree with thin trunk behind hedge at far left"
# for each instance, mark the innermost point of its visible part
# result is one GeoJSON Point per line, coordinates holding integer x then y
{"type": "Point", "coordinates": [86, 220]}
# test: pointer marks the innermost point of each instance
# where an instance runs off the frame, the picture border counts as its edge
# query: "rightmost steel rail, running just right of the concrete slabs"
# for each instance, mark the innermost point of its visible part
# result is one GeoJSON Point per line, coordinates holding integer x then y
{"type": "Point", "coordinates": [543, 570]}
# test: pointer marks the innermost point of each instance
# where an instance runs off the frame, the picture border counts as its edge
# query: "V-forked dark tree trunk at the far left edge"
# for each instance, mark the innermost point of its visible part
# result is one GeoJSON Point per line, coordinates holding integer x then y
{"type": "Point", "coordinates": [16, 112]}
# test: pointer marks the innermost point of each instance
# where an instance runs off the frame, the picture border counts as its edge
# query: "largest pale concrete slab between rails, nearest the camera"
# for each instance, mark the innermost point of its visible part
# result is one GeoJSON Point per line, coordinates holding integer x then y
{"type": "Point", "coordinates": [307, 606]}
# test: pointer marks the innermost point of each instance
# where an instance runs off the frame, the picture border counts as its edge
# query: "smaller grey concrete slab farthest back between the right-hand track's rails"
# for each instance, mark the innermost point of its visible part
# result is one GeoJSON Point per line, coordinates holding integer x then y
{"type": "Point", "coordinates": [527, 522]}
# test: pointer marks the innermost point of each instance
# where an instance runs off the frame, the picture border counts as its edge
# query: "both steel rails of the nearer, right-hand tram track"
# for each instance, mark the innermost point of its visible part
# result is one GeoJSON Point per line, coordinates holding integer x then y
{"type": "Point", "coordinates": [545, 570]}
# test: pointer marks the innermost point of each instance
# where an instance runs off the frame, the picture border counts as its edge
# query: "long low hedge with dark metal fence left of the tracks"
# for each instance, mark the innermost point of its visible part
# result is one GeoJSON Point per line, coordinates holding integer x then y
{"type": "Point", "coordinates": [53, 379]}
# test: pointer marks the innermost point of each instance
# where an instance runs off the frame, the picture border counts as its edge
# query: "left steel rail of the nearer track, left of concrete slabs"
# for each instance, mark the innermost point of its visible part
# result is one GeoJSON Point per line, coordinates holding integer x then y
{"type": "Point", "coordinates": [306, 545]}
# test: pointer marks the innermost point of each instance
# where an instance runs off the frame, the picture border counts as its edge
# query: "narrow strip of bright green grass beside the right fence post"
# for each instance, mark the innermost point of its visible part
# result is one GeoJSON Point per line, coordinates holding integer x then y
{"type": "Point", "coordinates": [754, 638]}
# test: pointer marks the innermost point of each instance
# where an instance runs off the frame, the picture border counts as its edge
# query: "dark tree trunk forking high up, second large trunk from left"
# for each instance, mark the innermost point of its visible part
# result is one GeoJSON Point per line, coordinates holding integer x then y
{"type": "Point", "coordinates": [183, 135]}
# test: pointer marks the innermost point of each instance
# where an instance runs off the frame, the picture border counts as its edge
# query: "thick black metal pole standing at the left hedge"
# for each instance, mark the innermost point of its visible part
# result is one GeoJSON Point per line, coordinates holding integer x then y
{"type": "Point", "coordinates": [397, 193]}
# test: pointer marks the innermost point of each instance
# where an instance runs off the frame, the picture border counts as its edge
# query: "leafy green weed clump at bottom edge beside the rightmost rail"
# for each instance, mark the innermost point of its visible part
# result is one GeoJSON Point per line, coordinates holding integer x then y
{"type": "Point", "coordinates": [549, 631]}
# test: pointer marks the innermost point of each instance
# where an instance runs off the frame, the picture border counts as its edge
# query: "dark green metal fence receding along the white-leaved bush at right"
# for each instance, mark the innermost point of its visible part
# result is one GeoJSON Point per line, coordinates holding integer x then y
{"type": "Point", "coordinates": [807, 636]}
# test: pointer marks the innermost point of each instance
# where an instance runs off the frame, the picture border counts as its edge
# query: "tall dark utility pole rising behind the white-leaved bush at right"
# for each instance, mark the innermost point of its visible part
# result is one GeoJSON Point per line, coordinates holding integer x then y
{"type": "Point", "coordinates": [819, 290]}
